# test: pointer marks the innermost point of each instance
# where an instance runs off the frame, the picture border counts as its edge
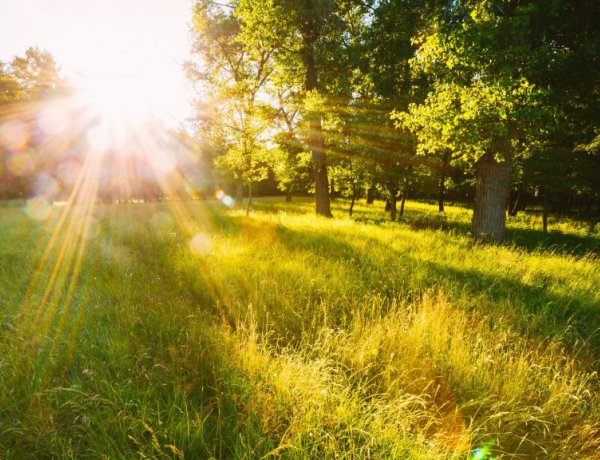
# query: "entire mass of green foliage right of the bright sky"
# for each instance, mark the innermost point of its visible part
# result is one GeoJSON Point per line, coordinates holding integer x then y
{"type": "Point", "coordinates": [460, 79]}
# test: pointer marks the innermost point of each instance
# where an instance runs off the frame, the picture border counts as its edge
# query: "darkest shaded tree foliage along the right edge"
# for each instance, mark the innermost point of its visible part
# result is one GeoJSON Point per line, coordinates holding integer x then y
{"type": "Point", "coordinates": [565, 174]}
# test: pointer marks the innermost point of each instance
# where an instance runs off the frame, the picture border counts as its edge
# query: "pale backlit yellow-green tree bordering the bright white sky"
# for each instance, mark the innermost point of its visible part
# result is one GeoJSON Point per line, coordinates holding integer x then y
{"type": "Point", "coordinates": [233, 69]}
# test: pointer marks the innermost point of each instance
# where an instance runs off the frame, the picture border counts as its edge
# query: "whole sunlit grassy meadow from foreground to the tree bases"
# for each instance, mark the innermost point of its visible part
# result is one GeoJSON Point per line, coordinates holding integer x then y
{"type": "Point", "coordinates": [185, 330]}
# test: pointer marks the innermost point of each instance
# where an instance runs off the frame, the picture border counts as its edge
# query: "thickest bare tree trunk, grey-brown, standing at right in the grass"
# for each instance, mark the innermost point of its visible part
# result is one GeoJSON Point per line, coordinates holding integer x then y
{"type": "Point", "coordinates": [491, 194]}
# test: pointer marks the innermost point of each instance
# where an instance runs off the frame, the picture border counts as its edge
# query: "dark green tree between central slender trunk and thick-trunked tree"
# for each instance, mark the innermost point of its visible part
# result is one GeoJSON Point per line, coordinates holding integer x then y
{"type": "Point", "coordinates": [383, 81]}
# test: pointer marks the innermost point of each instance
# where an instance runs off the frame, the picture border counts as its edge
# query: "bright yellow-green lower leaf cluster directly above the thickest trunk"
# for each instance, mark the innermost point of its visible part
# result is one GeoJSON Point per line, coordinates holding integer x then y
{"type": "Point", "coordinates": [469, 120]}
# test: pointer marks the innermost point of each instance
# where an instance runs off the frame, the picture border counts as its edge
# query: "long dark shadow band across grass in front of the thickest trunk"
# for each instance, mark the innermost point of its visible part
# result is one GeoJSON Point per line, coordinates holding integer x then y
{"type": "Point", "coordinates": [536, 311]}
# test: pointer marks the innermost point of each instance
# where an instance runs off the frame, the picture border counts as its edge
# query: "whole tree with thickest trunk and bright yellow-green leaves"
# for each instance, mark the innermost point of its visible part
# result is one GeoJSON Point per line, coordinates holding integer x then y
{"type": "Point", "coordinates": [481, 107]}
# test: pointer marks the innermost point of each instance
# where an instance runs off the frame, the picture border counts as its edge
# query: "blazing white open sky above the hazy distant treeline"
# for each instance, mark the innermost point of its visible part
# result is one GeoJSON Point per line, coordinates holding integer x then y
{"type": "Point", "coordinates": [131, 48]}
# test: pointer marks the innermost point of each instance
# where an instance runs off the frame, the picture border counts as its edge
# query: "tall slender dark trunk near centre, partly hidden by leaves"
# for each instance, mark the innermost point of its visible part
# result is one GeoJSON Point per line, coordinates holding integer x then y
{"type": "Point", "coordinates": [322, 200]}
